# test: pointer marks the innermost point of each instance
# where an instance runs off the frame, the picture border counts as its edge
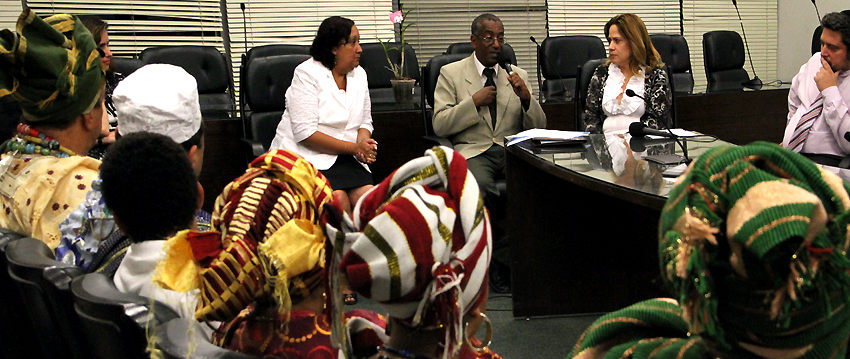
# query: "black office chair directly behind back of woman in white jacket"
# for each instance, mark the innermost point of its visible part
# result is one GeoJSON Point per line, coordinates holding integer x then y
{"type": "Point", "coordinates": [264, 84]}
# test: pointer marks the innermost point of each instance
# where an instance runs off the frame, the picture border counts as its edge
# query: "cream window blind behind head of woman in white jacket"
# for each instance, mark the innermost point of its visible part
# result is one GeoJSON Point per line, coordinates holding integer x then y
{"type": "Point", "coordinates": [267, 22]}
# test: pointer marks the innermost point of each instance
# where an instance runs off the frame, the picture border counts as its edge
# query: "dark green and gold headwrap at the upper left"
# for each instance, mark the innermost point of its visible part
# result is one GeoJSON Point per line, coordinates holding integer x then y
{"type": "Point", "coordinates": [51, 66]}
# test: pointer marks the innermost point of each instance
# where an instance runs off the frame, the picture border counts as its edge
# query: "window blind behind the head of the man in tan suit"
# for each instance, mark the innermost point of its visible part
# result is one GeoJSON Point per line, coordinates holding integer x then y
{"type": "Point", "coordinates": [440, 23]}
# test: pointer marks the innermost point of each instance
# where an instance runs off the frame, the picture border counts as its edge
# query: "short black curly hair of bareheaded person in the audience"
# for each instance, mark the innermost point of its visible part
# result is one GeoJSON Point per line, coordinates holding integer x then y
{"type": "Point", "coordinates": [149, 185]}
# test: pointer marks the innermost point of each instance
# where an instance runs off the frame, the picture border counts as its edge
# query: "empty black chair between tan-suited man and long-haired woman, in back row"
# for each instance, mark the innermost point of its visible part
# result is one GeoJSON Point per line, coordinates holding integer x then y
{"type": "Point", "coordinates": [566, 55]}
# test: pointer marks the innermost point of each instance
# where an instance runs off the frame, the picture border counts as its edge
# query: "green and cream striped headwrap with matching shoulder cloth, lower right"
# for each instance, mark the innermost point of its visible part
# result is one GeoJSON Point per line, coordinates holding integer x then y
{"type": "Point", "coordinates": [753, 246]}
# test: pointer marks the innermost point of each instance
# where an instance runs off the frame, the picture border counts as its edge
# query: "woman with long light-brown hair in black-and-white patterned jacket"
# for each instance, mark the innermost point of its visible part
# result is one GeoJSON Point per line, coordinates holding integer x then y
{"type": "Point", "coordinates": [633, 63]}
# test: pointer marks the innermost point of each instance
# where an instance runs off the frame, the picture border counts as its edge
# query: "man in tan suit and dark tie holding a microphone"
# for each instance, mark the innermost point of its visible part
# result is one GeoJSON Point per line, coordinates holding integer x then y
{"type": "Point", "coordinates": [469, 94]}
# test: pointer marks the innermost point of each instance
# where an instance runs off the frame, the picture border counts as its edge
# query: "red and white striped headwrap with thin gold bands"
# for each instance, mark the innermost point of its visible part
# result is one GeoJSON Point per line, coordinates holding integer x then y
{"type": "Point", "coordinates": [419, 243]}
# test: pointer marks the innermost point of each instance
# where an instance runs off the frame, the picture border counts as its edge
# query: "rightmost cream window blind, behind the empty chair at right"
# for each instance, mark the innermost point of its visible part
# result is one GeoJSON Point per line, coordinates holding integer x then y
{"type": "Point", "coordinates": [760, 22]}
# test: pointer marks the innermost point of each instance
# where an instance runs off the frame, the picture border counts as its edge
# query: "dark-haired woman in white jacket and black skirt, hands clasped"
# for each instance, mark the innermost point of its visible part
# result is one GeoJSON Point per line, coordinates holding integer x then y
{"type": "Point", "coordinates": [328, 117]}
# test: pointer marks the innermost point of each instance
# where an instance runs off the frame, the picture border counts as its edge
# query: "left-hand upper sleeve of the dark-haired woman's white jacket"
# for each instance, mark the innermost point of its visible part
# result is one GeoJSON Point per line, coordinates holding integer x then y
{"type": "Point", "coordinates": [302, 102]}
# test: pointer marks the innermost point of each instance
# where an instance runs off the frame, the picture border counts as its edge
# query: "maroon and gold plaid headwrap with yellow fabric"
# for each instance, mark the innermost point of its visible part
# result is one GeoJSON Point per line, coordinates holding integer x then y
{"type": "Point", "coordinates": [266, 243]}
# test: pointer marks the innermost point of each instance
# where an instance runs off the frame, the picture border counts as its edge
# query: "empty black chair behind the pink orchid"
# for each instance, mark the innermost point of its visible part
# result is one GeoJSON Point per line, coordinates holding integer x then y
{"type": "Point", "coordinates": [374, 61]}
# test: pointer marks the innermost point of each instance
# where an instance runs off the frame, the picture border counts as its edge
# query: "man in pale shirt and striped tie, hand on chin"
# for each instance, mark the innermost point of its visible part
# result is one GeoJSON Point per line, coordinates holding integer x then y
{"type": "Point", "coordinates": [818, 114]}
